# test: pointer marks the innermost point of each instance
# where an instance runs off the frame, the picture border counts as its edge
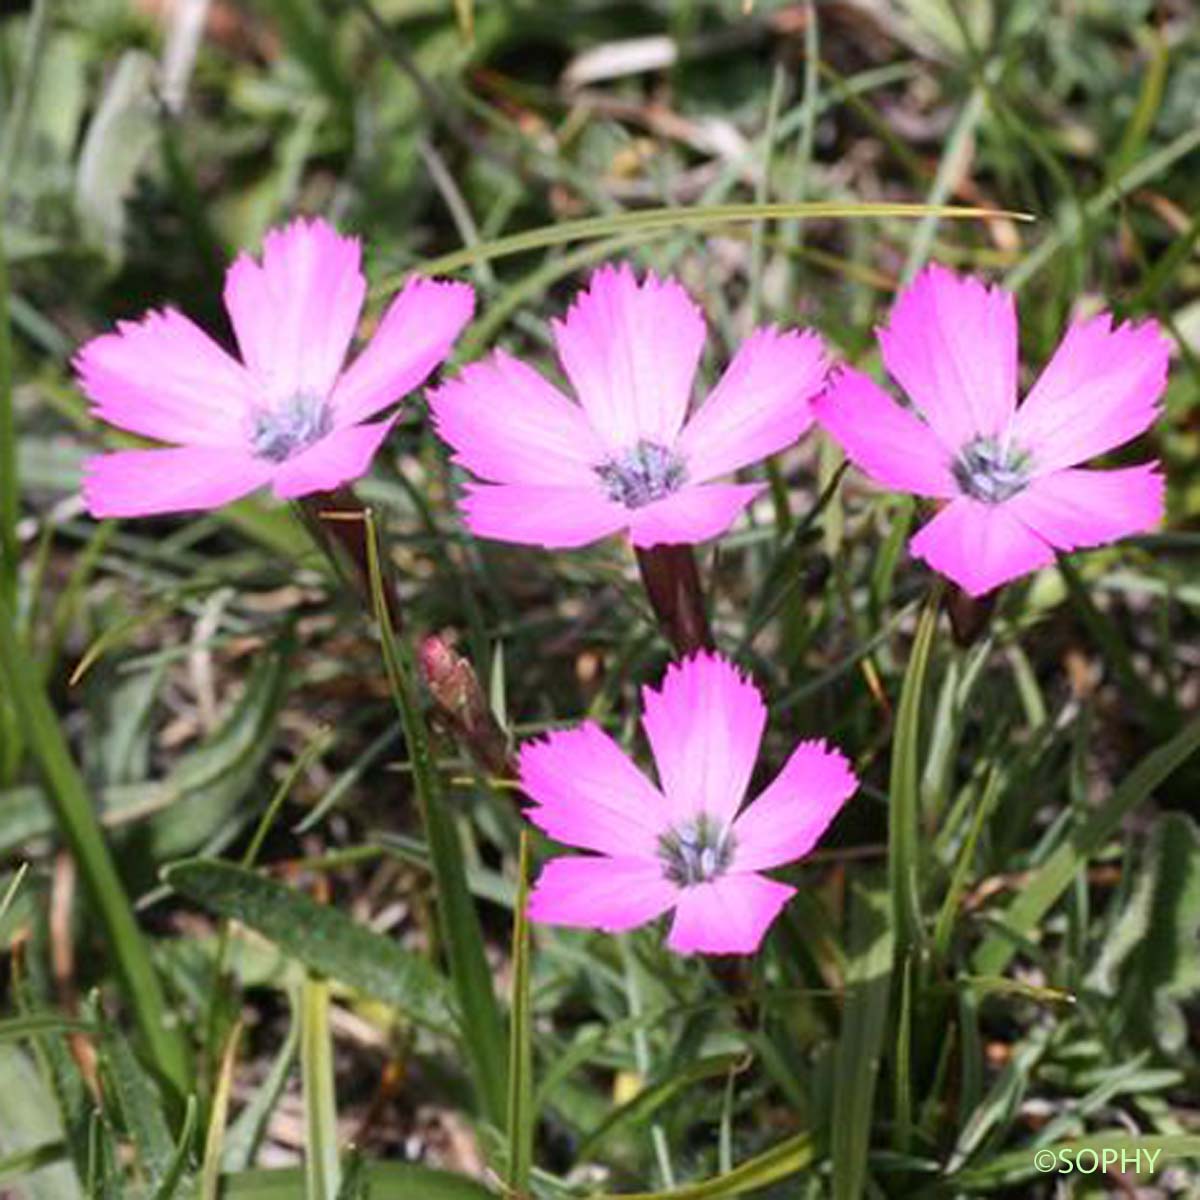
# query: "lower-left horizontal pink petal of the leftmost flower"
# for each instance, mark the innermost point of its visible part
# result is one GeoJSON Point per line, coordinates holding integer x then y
{"type": "Point", "coordinates": [181, 479]}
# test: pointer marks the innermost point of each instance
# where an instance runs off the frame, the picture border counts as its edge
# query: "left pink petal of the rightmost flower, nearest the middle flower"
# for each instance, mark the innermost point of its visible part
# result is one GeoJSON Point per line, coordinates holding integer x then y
{"type": "Point", "coordinates": [883, 440]}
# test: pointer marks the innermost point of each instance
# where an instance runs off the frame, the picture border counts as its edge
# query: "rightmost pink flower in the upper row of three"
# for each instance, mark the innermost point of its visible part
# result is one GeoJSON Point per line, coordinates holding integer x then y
{"type": "Point", "coordinates": [1010, 475]}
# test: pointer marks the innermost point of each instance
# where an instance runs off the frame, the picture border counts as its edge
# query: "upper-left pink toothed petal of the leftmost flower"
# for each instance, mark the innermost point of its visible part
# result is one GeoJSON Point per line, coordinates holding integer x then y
{"type": "Point", "coordinates": [165, 379]}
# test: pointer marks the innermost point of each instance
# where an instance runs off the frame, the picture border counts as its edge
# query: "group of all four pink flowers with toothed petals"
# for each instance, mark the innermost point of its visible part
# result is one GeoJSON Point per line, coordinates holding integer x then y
{"type": "Point", "coordinates": [631, 452]}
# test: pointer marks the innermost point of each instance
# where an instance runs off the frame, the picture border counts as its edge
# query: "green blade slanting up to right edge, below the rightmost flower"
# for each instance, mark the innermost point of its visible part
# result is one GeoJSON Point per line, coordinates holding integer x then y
{"type": "Point", "coordinates": [1051, 880]}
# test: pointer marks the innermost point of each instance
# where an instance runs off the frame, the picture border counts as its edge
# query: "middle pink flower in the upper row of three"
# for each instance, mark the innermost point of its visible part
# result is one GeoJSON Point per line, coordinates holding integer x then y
{"type": "Point", "coordinates": [628, 457]}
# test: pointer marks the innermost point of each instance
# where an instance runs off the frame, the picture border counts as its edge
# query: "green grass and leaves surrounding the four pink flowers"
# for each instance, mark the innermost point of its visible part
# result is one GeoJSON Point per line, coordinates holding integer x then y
{"type": "Point", "coordinates": [257, 914]}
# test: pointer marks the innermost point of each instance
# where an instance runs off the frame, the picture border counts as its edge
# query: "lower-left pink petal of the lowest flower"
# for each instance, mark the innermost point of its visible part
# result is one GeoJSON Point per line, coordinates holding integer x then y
{"type": "Point", "coordinates": [613, 895]}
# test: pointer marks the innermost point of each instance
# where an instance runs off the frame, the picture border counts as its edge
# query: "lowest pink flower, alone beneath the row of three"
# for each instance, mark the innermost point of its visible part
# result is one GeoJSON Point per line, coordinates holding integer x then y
{"type": "Point", "coordinates": [683, 845]}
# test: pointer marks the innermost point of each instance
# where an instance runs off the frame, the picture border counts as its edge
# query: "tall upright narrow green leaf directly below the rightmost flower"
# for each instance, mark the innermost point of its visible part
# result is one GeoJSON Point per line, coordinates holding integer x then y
{"type": "Point", "coordinates": [904, 812]}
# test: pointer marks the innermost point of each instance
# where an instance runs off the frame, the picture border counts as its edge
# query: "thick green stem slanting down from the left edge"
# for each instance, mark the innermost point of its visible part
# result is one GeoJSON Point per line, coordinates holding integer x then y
{"type": "Point", "coordinates": [81, 830]}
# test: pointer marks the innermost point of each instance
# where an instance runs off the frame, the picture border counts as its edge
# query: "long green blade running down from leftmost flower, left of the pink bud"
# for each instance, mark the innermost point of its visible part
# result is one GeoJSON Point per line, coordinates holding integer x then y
{"type": "Point", "coordinates": [459, 921]}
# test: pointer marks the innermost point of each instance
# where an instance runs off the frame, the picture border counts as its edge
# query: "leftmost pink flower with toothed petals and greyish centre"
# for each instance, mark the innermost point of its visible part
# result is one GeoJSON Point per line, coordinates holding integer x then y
{"type": "Point", "coordinates": [289, 415]}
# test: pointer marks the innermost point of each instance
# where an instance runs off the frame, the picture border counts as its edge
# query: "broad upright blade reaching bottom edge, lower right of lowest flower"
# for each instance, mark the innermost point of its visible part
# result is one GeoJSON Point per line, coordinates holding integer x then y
{"type": "Point", "coordinates": [861, 1041]}
